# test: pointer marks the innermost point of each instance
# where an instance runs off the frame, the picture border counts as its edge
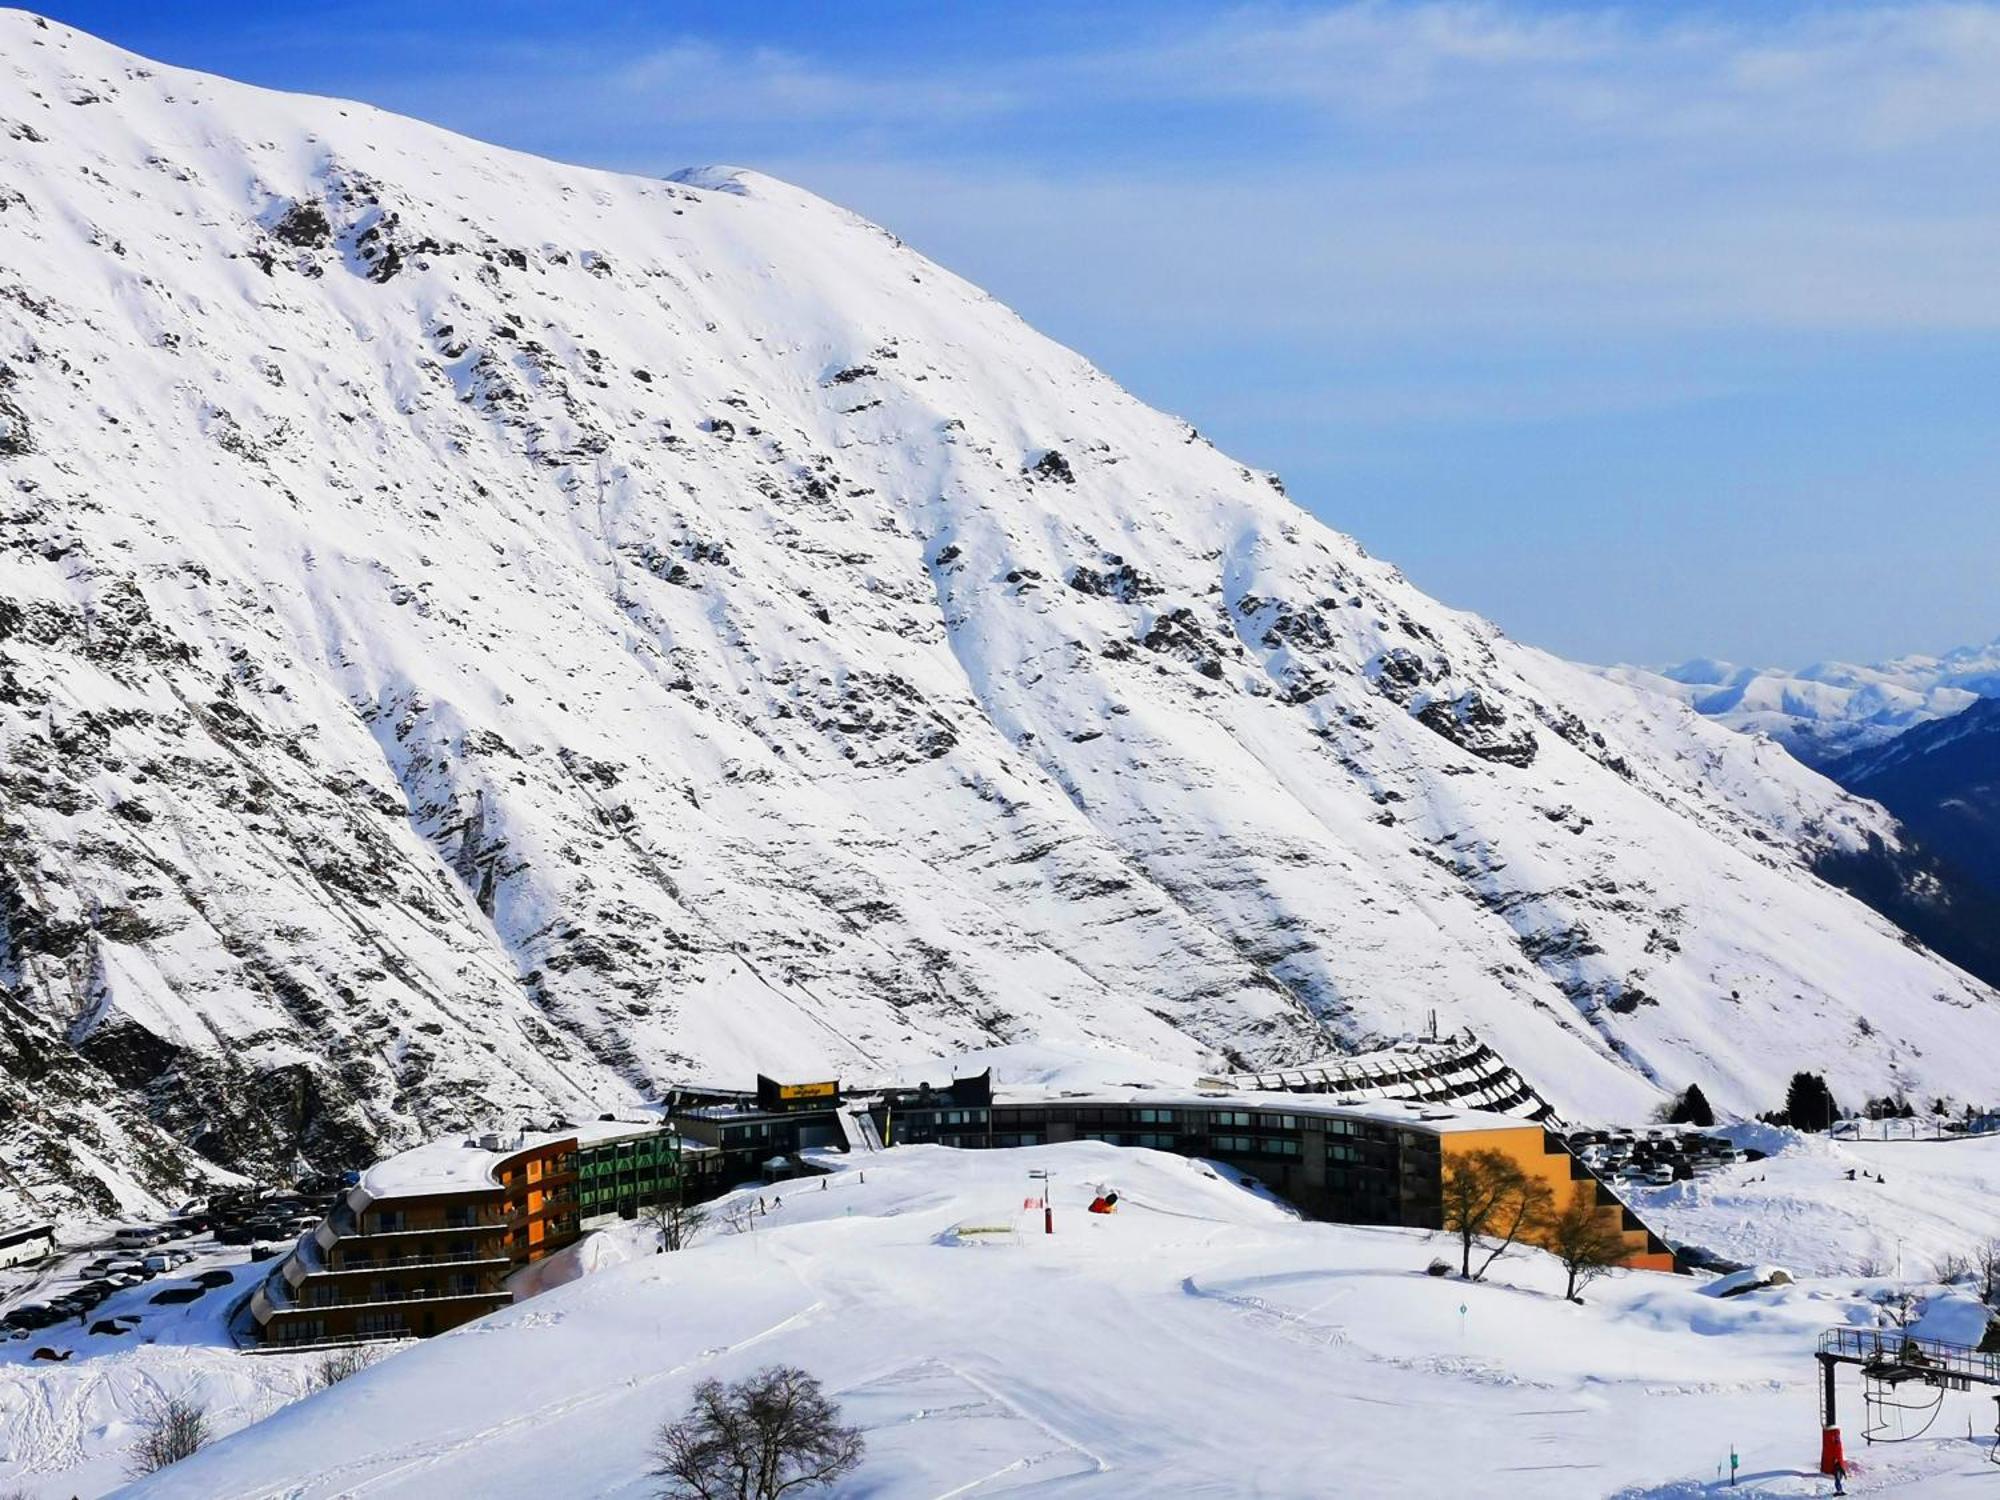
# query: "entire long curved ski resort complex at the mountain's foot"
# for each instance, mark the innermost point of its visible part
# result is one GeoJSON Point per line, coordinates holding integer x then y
{"type": "Point", "coordinates": [429, 1239]}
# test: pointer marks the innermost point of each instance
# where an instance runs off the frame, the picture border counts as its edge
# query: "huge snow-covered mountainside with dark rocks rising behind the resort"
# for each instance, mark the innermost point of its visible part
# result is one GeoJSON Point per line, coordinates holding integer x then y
{"type": "Point", "coordinates": [483, 637]}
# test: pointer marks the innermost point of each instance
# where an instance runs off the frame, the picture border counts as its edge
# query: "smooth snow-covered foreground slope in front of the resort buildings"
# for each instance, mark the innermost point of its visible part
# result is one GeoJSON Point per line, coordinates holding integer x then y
{"type": "Point", "coordinates": [1199, 1343]}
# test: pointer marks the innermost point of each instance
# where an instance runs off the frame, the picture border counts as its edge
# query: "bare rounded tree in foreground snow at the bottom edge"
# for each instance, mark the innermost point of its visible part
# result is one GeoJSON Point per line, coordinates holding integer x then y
{"type": "Point", "coordinates": [765, 1437]}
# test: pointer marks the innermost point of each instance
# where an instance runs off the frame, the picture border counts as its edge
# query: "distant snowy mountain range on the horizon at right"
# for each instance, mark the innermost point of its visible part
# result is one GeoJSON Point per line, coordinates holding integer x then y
{"type": "Point", "coordinates": [1829, 709]}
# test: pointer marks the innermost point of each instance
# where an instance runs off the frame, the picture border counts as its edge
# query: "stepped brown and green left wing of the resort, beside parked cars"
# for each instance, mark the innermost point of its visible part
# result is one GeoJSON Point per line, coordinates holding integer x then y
{"type": "Point", "coordinates": [429, 1239]}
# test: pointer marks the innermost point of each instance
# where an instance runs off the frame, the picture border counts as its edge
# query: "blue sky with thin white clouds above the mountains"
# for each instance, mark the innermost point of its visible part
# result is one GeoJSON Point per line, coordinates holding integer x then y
{"type": "Point", "coordinates": [1645, 331]}
